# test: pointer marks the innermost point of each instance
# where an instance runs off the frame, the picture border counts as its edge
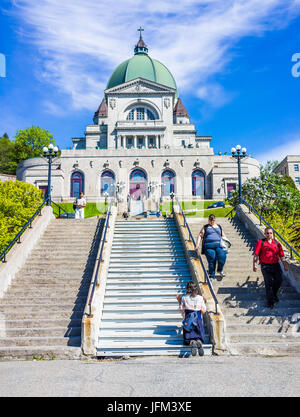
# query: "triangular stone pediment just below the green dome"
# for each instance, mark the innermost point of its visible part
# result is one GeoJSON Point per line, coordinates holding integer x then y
{"type": "Point", "coordinates": [140, 86]}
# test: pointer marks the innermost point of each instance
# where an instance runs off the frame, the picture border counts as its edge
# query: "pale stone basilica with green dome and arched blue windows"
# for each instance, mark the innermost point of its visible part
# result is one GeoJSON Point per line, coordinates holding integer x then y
{"type": "Point", "coordinates": [141, 144]}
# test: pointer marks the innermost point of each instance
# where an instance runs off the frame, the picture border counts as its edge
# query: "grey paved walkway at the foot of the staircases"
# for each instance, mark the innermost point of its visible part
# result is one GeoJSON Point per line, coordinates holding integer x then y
{"type": "Point", "coordinates": [153, 377]}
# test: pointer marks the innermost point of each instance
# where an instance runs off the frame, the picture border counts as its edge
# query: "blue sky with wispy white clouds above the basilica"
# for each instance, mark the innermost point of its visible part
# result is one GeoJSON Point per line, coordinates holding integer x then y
{"type": "Point", "coordinates": [232, 61]}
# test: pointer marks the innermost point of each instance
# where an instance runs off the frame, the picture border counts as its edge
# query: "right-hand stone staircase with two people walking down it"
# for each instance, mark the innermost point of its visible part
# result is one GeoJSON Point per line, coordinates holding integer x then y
{"type": "Point", "coordinates": [252, 328]}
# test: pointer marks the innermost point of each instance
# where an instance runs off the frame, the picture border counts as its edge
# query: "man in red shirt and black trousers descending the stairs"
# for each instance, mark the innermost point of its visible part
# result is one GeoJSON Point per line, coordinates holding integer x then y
{"type": "Point", "coordinates": [268, 252]}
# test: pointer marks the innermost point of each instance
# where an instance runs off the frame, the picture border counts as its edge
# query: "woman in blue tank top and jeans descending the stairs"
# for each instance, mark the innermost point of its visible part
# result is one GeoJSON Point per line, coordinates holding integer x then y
{"type": "Point", "coordinates": [211, 235]}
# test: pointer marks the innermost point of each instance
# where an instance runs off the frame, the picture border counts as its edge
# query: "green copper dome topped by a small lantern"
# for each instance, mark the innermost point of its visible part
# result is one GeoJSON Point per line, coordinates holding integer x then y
{"type": "Point", "coordinates": [141, 65]}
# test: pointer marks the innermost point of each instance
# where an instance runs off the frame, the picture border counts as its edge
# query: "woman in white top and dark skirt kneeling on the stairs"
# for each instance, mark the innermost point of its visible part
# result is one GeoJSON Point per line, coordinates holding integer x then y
{"type": "Point", "coordinates": [191, 306]}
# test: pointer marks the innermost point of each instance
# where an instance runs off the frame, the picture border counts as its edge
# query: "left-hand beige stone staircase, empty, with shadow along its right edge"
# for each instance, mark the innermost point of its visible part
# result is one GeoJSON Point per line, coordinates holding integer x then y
{"type": "Point", "coordinates": [41, 312]}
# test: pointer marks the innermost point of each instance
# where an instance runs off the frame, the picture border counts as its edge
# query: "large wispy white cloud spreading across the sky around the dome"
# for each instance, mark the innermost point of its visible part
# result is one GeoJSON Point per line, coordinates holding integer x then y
{"type": "Point", "coordinates": [82, 42]}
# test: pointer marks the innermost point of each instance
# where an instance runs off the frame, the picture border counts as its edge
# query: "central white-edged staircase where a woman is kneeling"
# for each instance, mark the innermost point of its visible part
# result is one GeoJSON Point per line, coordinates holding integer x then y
{"type": "Point", "coordinates": [147, 270]}
